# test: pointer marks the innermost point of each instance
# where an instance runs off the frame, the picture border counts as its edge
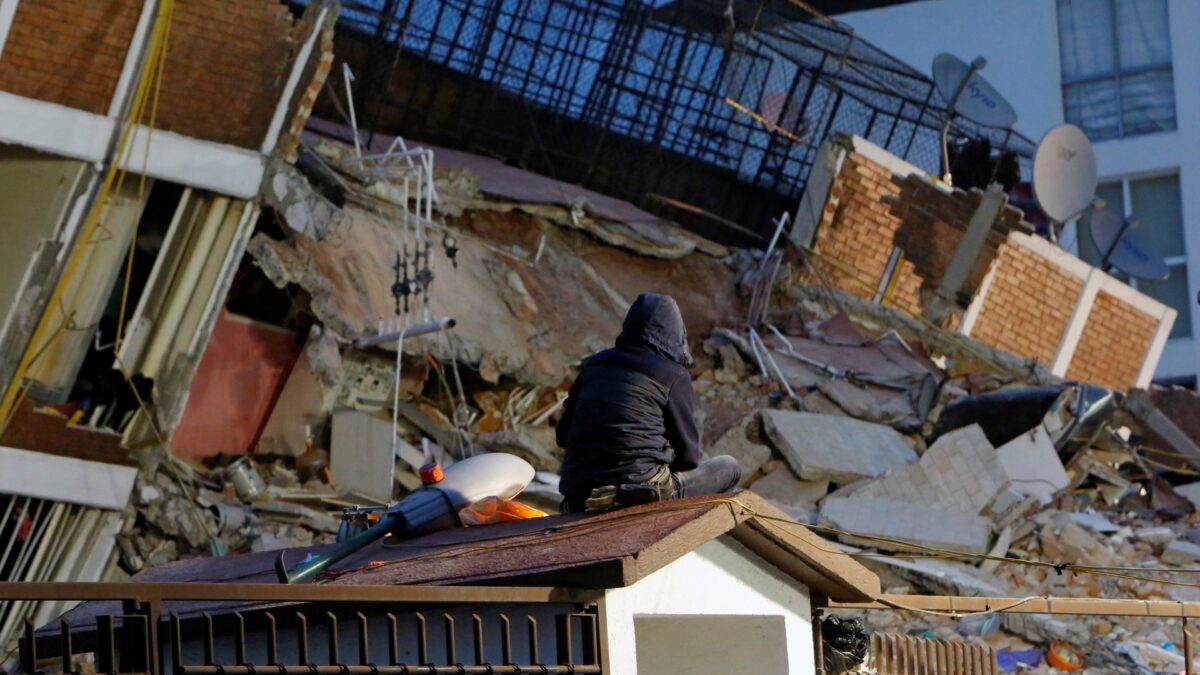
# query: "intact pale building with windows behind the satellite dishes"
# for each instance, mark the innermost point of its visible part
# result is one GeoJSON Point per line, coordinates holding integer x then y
{"type": "Point", "coordinates": [1121, 71]}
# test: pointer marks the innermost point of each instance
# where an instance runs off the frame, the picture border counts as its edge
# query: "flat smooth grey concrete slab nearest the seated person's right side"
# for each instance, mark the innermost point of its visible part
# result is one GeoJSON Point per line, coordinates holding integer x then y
{"type": "Point", "coordinates": [842, 450]}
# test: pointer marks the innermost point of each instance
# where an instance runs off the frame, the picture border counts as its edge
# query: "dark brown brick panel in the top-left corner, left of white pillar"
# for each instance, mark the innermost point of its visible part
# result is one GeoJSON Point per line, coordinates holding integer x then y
{"type": "Point", "coordinates": [69, 52]}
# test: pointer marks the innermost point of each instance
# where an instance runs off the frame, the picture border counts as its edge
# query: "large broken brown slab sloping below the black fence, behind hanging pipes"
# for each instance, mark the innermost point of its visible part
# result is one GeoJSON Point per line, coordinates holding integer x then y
{"type": "Point", "coordinates": [535, 285]}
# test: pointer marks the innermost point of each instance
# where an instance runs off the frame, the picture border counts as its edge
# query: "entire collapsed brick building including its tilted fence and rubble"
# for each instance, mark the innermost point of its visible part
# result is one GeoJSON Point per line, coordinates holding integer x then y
{"type": "Point", "coordinates": [190, 332]}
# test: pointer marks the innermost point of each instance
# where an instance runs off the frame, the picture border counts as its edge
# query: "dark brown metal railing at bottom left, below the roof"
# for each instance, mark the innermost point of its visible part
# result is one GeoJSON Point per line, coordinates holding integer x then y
{"type": "Point", "coordinates": [322, 630]}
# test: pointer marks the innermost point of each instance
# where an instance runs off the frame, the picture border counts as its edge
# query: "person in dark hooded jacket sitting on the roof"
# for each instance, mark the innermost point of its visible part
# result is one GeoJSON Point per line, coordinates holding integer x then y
{"type": "Point", "coordinates": [628, 426]}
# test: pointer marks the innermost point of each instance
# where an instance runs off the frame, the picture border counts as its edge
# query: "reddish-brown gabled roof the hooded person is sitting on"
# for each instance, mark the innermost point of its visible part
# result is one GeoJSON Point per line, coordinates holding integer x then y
{"type": "Point", "coordinates": [610, 551]}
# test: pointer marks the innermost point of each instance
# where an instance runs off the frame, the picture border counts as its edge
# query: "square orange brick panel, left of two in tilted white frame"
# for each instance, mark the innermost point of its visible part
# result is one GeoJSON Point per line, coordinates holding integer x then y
{"type": "Point", "coordinates": [1029, 304]}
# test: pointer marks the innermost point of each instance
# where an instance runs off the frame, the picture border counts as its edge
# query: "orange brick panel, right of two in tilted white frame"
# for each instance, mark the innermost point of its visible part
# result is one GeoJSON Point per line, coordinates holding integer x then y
{"type": "Point", "coordinates": [1114, 344]}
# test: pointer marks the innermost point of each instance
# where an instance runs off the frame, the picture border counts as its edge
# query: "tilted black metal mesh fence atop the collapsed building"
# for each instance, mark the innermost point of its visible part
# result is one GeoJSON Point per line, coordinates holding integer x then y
{"type": "Point", "coordinates": [644, 100]}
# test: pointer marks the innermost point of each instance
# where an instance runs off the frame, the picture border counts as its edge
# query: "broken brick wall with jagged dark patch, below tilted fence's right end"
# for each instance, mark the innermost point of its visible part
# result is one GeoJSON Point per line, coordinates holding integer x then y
{"type": "Point", "coordinates": [872, 211]}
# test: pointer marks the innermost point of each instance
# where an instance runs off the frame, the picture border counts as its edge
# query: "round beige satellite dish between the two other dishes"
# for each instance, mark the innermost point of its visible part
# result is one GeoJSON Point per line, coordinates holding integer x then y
{"type": "Point", "coordinates": [1065, 174]}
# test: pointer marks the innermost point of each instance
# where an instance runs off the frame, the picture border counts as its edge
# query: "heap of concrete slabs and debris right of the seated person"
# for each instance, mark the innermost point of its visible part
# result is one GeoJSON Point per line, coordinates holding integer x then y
{"type": "Point", "coordinates": [955, 476]}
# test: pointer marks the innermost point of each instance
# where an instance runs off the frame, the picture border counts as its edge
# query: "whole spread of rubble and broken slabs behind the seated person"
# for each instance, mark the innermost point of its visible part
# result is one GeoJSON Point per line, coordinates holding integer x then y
{"type": "Point", "coordinates": [885, 433]}
